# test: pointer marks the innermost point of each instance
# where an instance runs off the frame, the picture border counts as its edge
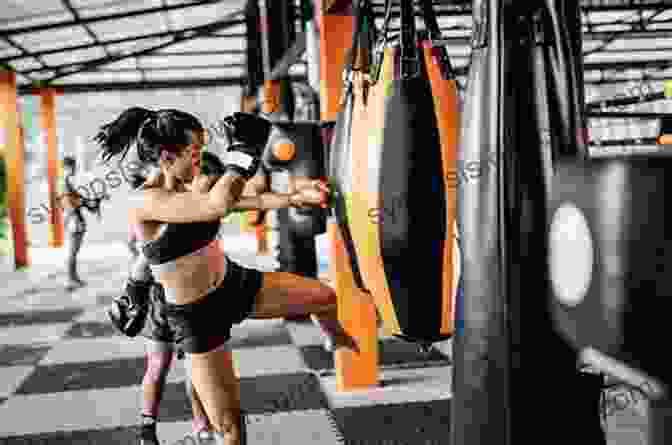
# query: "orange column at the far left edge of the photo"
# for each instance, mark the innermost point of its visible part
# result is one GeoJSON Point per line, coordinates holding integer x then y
{"type": "Point", "coordinates": [11, 145]}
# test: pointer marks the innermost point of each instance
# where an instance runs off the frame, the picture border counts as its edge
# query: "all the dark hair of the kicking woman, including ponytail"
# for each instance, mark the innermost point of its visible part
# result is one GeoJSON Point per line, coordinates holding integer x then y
{"type": "Point", "coordinates": [151, 131]}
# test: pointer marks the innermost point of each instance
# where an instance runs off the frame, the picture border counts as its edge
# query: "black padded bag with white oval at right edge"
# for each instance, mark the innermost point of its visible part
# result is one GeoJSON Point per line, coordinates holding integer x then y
{"type": "Point", "coordinates": [609, 252]}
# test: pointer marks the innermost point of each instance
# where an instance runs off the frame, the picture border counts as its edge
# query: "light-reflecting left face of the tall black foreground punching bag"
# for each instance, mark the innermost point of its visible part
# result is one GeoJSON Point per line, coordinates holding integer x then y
{"type": "Point", "coordinates": [480, 351]}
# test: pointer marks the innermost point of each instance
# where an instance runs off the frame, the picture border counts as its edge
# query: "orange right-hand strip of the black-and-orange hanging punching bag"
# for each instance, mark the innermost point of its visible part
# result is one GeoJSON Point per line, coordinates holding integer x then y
{"type": "Point", "coordinates": [445, 92]}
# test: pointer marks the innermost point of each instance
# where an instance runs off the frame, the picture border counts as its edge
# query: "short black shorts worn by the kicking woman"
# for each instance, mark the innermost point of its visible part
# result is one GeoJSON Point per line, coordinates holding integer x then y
{"type": "Point", "coordinates": [206, 324]}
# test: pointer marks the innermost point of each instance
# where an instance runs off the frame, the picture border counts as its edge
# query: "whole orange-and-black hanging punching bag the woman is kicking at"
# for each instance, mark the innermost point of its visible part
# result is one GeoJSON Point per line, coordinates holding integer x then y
{"type": "Point", "coordinates": [393, 176]}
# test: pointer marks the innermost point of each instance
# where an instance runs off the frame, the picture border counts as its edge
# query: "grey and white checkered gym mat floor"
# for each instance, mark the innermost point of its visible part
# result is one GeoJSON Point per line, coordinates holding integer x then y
{"type": "Point", "coordinates": [67, 377]}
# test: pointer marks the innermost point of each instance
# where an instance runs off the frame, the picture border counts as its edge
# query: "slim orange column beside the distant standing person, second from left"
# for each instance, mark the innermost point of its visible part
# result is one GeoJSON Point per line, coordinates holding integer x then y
{"type": "Point", "coordinates": [48, 96]}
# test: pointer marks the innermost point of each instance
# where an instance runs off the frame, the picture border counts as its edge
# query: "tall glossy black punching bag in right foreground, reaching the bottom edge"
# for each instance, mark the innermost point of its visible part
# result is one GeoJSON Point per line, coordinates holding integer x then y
{"type": "Point", "coordinates": [507, 342]}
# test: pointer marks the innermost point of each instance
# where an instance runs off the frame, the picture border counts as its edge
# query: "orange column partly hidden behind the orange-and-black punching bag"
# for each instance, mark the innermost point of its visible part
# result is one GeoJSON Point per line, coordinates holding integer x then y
{"type": "Point", "coordinates": [356, 310]}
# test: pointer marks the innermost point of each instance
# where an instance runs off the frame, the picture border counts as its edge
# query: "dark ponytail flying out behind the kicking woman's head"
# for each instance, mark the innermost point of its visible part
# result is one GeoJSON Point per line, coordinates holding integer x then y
{"type": "Point", "coordinates": [116, 137]}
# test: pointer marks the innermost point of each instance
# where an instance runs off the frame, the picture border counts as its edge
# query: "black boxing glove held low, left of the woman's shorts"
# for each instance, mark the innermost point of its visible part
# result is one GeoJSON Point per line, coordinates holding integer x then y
{"type": "Point", "coordinates": [128, 312]}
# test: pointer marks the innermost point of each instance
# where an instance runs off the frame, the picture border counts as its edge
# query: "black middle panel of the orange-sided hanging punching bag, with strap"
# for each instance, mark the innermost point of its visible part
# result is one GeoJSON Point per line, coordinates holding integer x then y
{"type": "Point", "coordinates": [411, 193]}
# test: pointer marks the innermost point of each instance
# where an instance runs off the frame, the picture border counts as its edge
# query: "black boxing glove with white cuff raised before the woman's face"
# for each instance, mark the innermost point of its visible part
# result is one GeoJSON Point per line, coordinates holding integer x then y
{"type": "Point", "coordinates": [243, 137]}
